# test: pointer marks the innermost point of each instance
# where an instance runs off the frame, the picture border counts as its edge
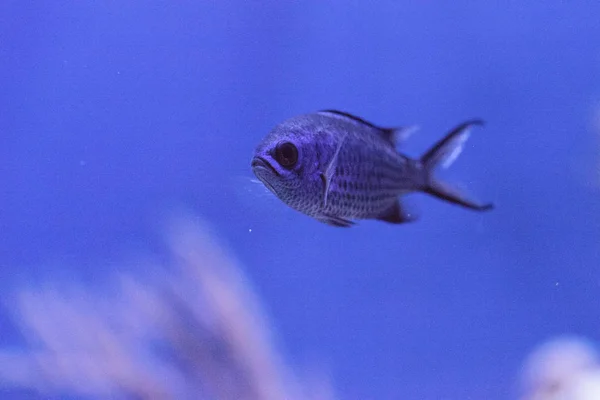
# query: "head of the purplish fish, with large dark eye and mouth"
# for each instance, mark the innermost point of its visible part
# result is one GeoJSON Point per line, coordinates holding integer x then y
{"type": "Point", "coordinates": [286, 162]}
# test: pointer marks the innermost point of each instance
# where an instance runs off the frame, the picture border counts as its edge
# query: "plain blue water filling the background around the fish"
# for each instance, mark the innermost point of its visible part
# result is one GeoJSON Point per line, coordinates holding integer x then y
{"type": "Point", "coordinates": [112, 113]}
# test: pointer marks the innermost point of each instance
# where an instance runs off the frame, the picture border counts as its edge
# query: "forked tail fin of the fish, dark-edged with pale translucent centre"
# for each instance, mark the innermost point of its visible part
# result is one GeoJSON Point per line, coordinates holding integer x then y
{"type": "Point", "coordinates": [444, 153]}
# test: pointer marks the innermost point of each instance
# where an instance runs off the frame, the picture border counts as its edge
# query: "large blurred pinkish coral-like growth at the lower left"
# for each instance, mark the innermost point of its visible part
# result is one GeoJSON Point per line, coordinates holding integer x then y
{"type": "Point", "coordinates": [190, 330]}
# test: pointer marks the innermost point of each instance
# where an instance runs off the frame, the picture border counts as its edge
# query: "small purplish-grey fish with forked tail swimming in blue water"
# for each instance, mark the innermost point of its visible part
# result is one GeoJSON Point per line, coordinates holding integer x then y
{"type": "Point", "coordinates": [339, 168]}
